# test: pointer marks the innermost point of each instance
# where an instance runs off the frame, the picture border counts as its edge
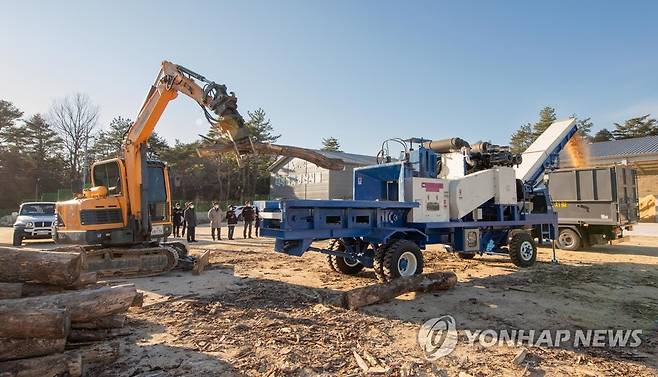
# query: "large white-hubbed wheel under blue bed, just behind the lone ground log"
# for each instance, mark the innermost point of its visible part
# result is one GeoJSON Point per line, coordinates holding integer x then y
{"type": "Point", "coordinates": [402, 258]}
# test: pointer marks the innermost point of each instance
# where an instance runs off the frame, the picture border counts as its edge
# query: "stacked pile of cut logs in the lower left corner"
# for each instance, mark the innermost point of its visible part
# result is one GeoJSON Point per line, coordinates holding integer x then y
{"type": "Point", "coordinates": [52, 312]}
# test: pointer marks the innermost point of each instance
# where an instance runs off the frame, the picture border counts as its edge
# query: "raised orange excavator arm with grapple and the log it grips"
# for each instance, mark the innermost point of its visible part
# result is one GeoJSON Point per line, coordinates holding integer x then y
{"type": "Point", "coordinates": [221, 111]}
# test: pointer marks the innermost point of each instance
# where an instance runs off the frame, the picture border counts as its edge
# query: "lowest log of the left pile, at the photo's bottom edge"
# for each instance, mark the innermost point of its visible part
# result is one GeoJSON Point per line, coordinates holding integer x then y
{"type": "Point", "coordinates": [58, 364]}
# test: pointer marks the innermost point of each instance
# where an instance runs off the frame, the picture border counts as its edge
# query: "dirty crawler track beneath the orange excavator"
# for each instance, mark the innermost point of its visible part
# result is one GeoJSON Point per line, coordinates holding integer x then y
{"type": "Point", "coordinates": [131, 261]}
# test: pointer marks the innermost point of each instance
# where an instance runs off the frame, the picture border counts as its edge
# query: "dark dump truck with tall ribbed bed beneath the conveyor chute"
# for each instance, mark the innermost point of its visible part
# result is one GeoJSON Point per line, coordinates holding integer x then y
{"type": "Point", "coordinates": [594, 205]}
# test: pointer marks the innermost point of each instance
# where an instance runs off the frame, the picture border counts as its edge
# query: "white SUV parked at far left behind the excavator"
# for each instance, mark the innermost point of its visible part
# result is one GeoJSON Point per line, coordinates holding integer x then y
{"type": "Point", "coordinates": [35, 221]}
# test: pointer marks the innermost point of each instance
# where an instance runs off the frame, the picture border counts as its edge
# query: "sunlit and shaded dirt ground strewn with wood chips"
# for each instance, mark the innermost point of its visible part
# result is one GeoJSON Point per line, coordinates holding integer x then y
{"type": "Point", "coordinates": [257, 312]}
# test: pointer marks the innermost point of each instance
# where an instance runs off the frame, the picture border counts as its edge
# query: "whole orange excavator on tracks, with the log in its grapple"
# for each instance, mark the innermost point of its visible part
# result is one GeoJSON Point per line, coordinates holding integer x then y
{"type": "Point", "coordinates": [123, 220]}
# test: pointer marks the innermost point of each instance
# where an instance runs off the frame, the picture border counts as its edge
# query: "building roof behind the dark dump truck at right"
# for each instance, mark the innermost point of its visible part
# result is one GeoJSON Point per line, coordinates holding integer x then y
{"type": "Point", "coordinates": [642, 152]}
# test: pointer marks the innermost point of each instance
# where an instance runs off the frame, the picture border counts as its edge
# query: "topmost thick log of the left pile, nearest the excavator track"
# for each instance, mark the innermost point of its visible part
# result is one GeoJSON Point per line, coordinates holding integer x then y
{"type": "Point", "coordinates": [57, 268]}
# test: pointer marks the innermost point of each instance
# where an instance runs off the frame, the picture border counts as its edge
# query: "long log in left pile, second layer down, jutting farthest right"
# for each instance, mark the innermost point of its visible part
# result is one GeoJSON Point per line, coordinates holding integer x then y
{"type": "Point", "coordinates": [83, 305]}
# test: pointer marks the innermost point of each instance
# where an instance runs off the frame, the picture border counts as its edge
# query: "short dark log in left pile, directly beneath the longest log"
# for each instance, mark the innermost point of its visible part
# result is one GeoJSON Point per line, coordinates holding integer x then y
{"type": "Point", "coordinates": [51, 323]}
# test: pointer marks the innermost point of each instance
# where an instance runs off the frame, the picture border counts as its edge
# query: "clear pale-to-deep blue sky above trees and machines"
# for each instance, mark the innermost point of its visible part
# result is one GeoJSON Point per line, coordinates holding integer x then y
{"type": "Point", "coordinates": [361, 71]}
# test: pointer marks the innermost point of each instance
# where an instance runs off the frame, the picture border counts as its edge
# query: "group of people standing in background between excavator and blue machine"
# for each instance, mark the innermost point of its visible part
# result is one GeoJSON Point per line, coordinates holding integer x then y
{"type": "Point", "coordinates": [186, 219]}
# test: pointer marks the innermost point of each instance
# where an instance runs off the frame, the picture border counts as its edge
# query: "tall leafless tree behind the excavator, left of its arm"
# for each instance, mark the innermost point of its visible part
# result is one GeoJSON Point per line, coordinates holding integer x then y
{"type": "Point", "coordinates": [74, 117]}
